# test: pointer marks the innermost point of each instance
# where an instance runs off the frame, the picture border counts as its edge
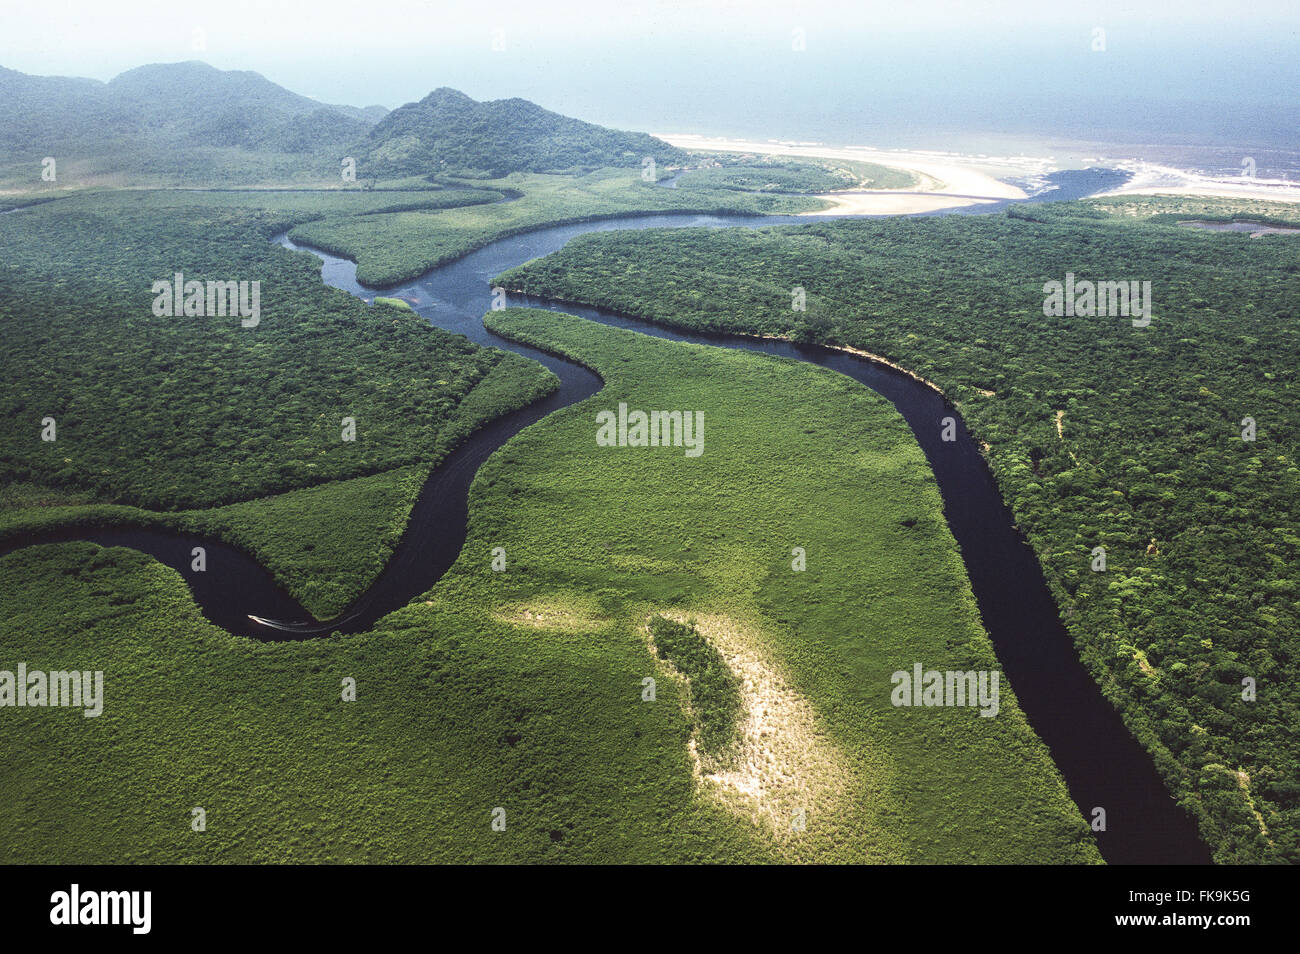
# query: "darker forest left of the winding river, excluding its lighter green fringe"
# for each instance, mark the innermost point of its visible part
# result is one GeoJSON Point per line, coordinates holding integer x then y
{"type": "Point", "coordinates": [237, 413]}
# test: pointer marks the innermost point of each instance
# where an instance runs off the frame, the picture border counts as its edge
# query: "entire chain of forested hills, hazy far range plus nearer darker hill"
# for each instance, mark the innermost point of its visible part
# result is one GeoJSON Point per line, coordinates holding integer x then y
{"type": "Point", "coordinates": [166, 109]}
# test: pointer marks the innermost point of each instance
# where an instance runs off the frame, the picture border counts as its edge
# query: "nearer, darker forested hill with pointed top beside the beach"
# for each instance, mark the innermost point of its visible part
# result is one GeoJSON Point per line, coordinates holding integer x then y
{"type": "Point", "coordinates": [450, 133]}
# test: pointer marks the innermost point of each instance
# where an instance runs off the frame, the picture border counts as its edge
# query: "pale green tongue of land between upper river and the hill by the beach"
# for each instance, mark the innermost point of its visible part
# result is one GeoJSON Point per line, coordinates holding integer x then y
{"type": "Point", "coordinates": [398, 248]}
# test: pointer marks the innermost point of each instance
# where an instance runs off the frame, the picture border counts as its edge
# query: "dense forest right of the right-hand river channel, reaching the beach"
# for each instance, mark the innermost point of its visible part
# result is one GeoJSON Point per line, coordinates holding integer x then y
{"type": "Point", "coordinates": [1100, 433]}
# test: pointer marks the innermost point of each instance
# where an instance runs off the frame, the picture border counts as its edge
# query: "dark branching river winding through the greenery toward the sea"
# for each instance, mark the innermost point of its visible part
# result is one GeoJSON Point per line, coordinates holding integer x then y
{"type": "Point", "coordinates": [1102, 762]}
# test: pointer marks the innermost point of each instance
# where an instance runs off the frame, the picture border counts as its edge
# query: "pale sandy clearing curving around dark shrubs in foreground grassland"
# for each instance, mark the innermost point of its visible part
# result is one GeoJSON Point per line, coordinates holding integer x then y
{"type": "Point", "coordinates": [783, 761]}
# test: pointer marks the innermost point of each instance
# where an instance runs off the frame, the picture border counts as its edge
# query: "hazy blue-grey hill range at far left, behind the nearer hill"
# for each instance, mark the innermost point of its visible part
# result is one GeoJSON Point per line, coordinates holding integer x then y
{"type": "Point", "coordinates": [168, 106]}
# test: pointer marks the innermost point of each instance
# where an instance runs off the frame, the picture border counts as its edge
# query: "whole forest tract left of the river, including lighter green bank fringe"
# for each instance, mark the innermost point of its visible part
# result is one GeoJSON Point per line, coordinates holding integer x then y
{"type": "Point", "coordinates": [157, 415]}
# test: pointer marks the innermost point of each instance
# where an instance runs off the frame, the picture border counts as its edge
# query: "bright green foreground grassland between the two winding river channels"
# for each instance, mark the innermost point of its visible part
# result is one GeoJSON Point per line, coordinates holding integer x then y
{"type": "Point", "coordinates": [523, 690]}
